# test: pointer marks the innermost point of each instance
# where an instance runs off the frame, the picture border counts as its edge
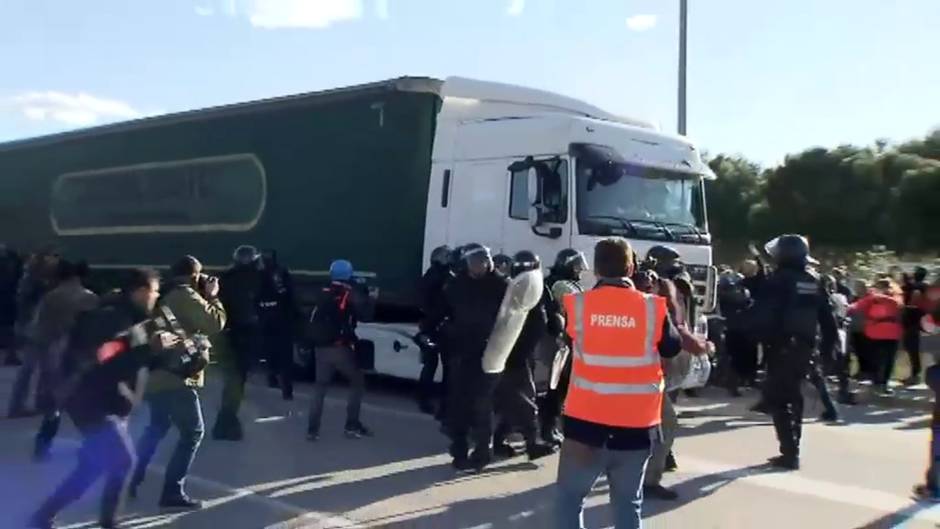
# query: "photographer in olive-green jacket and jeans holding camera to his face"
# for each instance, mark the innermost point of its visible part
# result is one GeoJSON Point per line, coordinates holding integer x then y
{"type": "Point", "coordinates": [173, 390]}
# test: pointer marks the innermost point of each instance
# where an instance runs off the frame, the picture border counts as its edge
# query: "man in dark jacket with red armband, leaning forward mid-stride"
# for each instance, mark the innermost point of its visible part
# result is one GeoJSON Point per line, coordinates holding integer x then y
{"type": "Point", "coordinates": [109, 356]}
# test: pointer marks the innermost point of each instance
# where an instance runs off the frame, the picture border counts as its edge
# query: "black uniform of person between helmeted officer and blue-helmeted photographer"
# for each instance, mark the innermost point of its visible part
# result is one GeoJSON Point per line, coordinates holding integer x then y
{"type": "Point", "coordinates": [278, 316]}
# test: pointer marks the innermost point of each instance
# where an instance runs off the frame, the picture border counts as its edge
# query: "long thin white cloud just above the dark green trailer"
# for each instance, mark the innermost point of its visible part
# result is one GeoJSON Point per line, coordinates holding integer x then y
{"type": "Point", "coordinates": [79, 110]}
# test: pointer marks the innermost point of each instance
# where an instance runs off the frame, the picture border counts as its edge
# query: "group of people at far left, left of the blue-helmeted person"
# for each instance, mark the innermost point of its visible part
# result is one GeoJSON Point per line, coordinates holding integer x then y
{"type": "Point", "coordinates": [97, 355]}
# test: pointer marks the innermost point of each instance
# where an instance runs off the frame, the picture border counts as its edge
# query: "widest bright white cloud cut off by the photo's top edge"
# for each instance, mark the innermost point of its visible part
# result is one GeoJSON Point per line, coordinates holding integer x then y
{"type": "Point", "coordinates": [274, 14]}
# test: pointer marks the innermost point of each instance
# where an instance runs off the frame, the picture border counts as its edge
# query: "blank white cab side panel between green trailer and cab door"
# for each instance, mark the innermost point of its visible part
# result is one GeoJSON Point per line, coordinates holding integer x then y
{"type": "Point", "coordinates": [476, 203]}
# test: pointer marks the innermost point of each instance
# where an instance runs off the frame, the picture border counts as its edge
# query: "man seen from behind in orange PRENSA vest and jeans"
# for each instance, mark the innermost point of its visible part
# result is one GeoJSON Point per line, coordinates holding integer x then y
{"type": "Point", "coordinates": [612, 413]}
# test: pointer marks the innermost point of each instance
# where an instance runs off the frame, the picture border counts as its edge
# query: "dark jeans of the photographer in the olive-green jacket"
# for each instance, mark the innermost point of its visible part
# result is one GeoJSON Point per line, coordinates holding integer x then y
{"type": "Point", "coordinates": [180, 408]}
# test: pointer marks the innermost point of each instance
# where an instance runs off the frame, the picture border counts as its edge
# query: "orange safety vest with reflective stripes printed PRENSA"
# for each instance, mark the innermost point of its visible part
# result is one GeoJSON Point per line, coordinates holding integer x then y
{"type": "Point", "coordinates": [616, 378]}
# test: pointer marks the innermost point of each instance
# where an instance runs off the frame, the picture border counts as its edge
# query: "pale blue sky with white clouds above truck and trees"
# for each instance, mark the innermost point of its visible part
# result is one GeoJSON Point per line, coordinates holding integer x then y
{"type": "Point", "coordinates": [766, 78]}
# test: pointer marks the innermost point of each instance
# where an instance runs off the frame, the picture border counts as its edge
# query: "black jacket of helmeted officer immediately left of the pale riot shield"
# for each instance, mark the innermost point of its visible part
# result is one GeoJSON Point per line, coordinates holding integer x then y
{"type": "Point", "coordinates": [472, 307]}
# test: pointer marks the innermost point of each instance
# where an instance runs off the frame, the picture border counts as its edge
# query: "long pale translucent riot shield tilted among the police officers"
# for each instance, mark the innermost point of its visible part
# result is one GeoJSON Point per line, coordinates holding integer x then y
{"type": "Point", "coordinates": [523, 294]}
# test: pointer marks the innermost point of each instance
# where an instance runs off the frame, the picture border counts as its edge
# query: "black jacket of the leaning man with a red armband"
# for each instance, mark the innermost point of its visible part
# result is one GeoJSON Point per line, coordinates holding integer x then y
{"type": "Point", "coordinates": [96, 394]}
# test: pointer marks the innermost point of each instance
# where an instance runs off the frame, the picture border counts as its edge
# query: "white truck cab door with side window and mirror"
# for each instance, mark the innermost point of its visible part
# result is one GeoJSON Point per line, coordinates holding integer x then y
{"type": "Point", "coordinates": [552, 233]}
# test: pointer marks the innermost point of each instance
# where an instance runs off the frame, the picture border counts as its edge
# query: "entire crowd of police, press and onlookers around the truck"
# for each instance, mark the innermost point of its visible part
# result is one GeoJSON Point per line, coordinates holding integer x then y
{"type": "Point", "coordinates": [617, 355]}
